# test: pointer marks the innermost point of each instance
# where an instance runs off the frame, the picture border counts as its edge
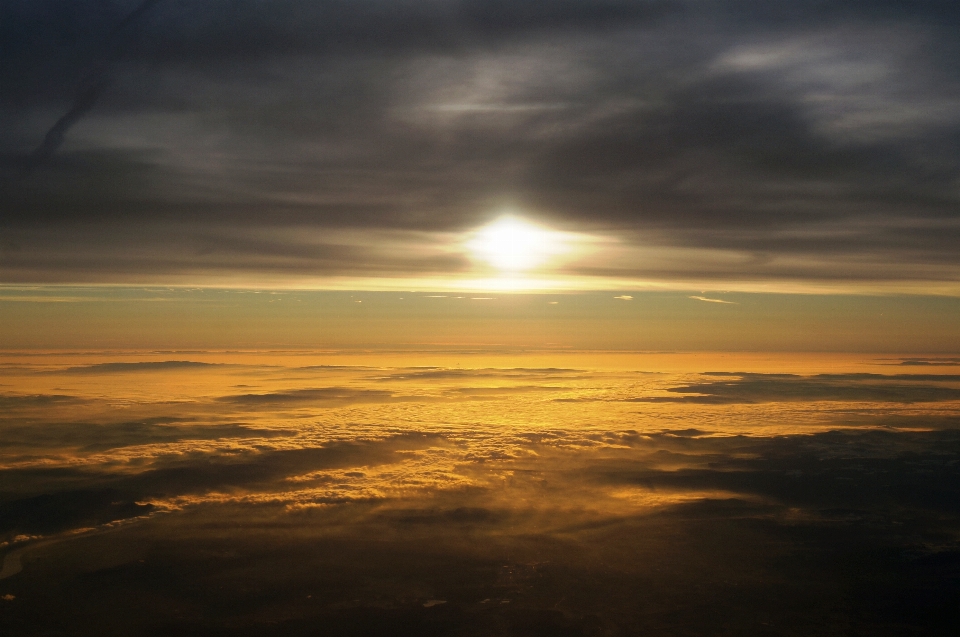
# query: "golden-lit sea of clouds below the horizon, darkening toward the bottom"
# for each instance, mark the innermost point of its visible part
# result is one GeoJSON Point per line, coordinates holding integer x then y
{"type": "Point", "coordinates": [107, 456]}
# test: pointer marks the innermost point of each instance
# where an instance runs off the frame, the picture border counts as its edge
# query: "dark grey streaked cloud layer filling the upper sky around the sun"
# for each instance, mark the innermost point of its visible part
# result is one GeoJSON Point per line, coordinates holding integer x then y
{"type": "Point", "coordinates": [797, 141]}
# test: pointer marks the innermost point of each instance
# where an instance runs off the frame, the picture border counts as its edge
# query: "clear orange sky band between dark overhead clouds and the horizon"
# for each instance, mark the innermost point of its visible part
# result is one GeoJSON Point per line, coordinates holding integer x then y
{"type": "Point", "coordinates": [128, 317]}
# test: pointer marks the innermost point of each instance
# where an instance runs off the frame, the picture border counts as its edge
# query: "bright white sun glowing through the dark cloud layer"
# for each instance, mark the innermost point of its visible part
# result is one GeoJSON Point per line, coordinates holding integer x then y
{"type": "Point", "coordinates": [514, 245]}
